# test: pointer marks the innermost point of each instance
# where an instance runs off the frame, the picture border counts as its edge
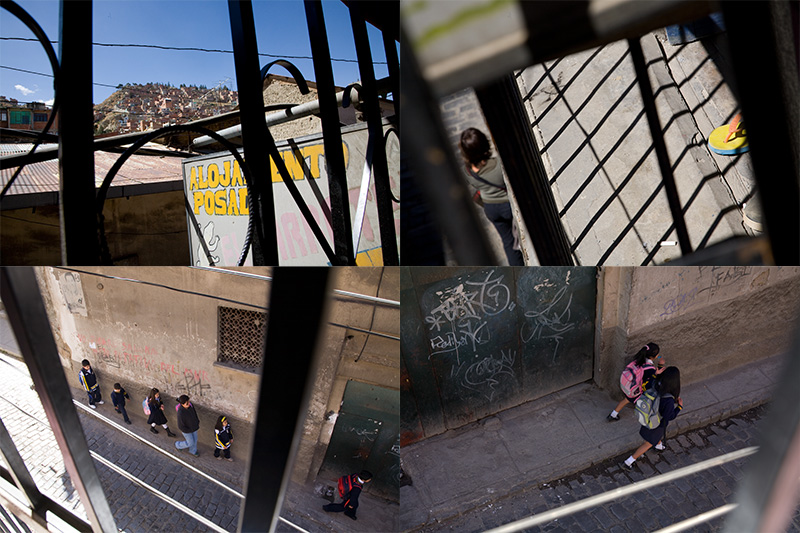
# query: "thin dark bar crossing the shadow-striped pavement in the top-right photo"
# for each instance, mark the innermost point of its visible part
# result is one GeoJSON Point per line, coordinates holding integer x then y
{"type": "Point", "coordinates": [658, 143]}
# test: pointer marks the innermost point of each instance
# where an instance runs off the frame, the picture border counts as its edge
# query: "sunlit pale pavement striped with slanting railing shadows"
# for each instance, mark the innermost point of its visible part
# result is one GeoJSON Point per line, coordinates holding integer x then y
{"type": "Point", "coordinates": [588, 118]}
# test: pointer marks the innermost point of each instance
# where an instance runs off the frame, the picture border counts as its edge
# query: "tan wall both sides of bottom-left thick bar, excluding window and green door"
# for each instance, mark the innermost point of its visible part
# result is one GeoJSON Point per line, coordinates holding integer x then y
{"type": "Point", "coordinates": [148, 336]}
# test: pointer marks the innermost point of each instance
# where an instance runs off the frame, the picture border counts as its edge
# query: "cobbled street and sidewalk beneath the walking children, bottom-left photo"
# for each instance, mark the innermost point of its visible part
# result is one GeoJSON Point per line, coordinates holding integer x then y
{"type": "Point", "coordinates": [134, 508]}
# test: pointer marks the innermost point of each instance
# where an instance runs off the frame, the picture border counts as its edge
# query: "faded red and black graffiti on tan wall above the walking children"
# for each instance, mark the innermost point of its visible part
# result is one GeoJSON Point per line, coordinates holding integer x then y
{"type": "Point", "coordinates": [143, 359]}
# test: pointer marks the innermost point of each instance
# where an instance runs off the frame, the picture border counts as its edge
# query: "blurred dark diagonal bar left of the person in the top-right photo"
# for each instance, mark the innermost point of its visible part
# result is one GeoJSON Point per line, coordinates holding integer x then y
{"type": "Point", "coordinates": [424, 143]}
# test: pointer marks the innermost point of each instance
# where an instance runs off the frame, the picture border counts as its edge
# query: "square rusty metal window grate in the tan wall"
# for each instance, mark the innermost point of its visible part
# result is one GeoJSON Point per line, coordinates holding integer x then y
{"type": "Point", "coordinates": [241, 337]}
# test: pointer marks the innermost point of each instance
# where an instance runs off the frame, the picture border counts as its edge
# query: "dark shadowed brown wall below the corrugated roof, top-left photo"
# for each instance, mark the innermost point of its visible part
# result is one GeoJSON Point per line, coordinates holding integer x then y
{"type": "Point", "coordinates": [148, 229]}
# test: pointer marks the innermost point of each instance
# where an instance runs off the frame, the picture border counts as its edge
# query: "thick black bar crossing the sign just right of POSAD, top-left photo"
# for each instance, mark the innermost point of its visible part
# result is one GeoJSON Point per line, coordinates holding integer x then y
{"type": "Point", "coordinates": [255, 135]}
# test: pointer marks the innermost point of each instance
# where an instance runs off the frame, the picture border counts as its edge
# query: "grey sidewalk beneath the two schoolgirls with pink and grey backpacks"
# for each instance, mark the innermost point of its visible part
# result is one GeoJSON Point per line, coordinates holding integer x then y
{"type": "Point", "coordinates": [552, 437]}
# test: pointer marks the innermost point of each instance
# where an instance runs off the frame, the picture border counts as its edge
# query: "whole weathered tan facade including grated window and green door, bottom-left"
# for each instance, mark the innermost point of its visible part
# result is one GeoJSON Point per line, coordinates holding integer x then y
{"type": "Point", "coordinates": [200, 332]}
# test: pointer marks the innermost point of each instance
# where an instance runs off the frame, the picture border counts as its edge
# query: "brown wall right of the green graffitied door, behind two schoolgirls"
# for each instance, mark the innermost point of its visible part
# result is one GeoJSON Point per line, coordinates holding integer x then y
{"type": "Point", "coordinates": [706, 320]}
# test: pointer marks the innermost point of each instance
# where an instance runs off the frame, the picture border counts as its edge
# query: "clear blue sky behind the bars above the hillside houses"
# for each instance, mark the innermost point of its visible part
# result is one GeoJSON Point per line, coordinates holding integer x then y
{"type": "Point", "coordinates": [280, 26]}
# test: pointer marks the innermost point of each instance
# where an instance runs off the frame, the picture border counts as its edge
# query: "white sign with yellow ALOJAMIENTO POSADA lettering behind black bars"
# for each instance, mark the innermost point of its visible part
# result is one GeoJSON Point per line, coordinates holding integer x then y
{"type": "Point", "coordinates": [216, 191]}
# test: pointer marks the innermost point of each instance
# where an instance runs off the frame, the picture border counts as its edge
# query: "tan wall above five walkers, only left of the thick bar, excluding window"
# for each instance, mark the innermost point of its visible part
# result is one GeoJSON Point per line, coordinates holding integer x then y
{"type": "Point", "coordinates": [147, 335]}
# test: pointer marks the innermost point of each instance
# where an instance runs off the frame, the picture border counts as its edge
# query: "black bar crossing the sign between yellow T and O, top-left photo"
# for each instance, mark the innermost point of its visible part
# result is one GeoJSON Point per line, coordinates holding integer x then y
{"type": "Point", "coordinates": [332, 135]}
